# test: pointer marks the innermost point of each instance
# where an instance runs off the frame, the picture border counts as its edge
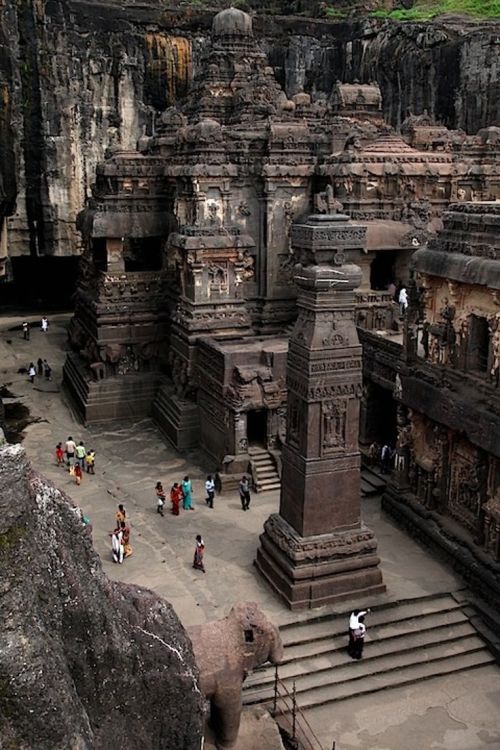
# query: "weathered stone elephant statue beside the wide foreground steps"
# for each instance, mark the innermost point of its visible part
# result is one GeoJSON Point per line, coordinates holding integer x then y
{"type": "Point", "coordinates": [225, 651]}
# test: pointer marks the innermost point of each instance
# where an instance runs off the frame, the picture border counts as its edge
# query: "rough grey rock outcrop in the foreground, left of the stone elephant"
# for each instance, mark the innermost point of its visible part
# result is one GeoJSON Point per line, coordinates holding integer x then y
{"type": "Point", "coordinates": [84, 663]}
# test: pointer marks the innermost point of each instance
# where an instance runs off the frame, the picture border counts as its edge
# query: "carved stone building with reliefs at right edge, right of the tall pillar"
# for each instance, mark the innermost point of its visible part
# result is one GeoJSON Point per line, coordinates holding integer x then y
{"type": "Point", "coordinates": [450, 388]}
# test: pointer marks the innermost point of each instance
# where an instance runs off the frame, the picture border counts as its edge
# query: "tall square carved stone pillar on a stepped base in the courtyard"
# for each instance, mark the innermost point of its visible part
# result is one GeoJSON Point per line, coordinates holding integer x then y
{"type": "Point", "coordinates": [317, 550]}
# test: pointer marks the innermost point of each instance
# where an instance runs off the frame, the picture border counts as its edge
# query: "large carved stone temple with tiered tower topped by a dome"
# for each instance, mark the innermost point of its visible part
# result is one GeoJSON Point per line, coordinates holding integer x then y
{"type": "Point", "coordinates": [187, 253]}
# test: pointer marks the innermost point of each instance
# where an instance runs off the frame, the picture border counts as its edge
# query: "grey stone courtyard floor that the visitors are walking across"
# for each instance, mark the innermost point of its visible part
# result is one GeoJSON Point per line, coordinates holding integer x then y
{"type": "Point", "coordinates": [459, 712]}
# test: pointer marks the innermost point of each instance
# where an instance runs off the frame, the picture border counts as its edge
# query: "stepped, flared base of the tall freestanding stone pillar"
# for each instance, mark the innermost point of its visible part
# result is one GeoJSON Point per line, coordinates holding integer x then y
{"type": "Point", "coordinates": [312, 571]}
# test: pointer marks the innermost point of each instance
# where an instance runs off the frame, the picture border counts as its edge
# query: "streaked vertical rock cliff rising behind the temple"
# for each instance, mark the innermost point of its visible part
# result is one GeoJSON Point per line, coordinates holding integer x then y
{"type": "Point", "coordinates": [80, 76]}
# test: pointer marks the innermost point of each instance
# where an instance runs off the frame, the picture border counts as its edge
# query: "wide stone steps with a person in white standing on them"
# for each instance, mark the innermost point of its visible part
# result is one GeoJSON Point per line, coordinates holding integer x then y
{"type": "Point", "coordinates": [414, 640]}
